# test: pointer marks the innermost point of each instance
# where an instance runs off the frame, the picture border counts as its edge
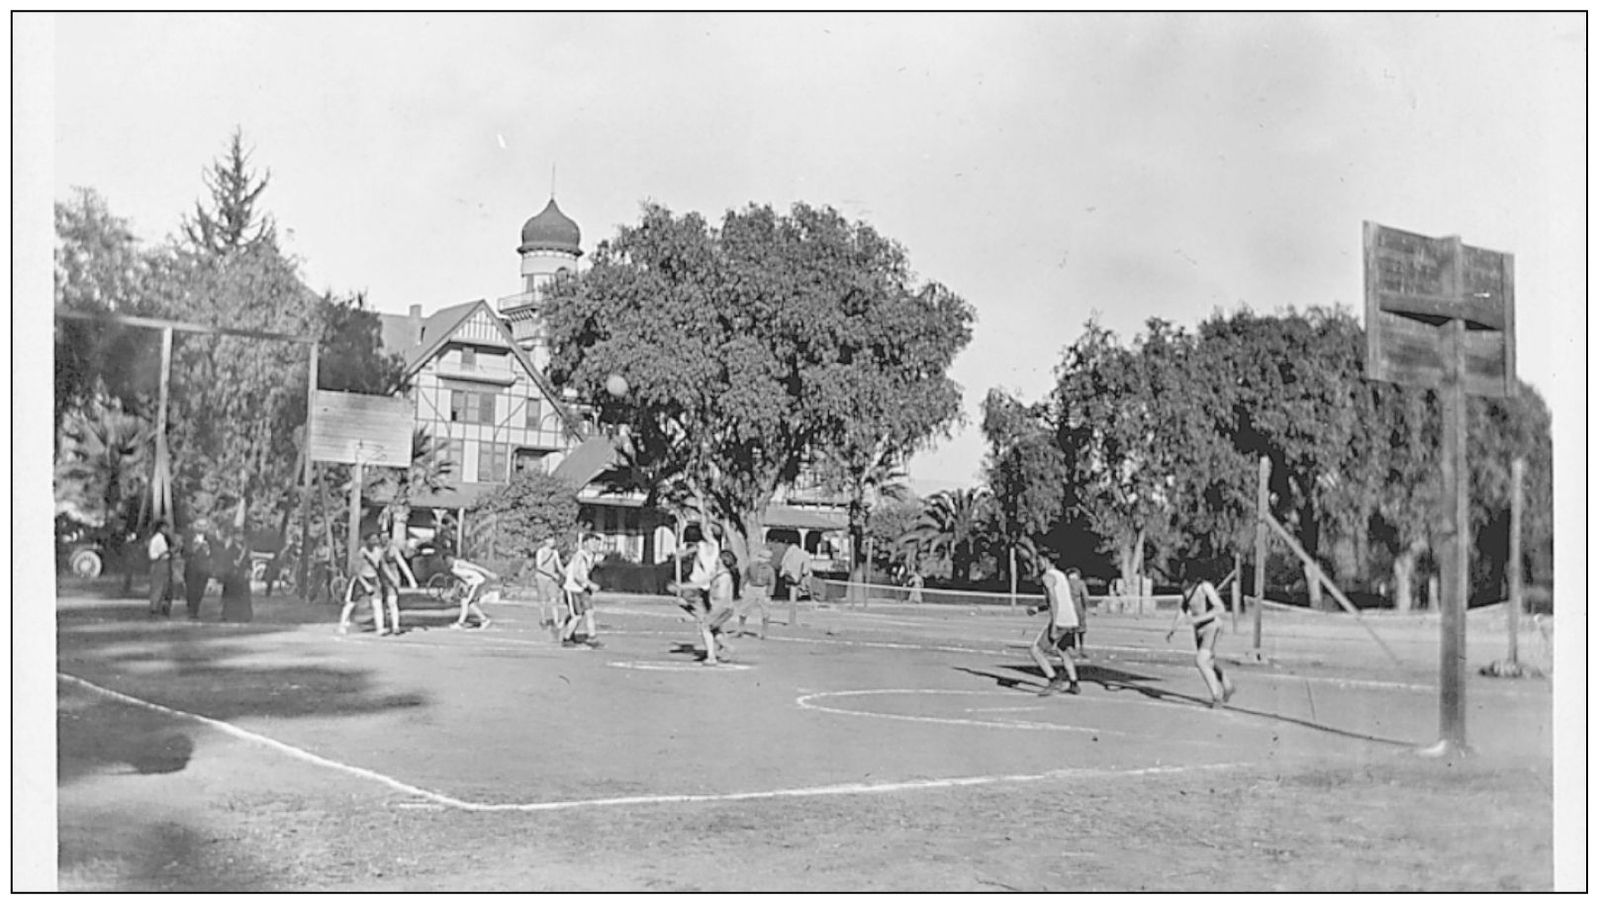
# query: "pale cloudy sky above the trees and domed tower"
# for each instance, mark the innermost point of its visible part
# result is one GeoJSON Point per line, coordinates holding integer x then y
{"type": "Point", "coordinates": [1045, 167]}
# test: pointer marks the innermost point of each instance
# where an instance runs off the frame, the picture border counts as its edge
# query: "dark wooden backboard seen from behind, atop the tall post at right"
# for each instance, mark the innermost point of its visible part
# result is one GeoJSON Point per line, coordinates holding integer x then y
{"type": "Point", "coordinates": [1414, 285]}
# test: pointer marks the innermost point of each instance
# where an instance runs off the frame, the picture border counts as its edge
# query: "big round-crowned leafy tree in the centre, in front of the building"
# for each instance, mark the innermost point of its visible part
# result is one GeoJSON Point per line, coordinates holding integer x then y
{"type": "Point", "coordinates": [756, 349]}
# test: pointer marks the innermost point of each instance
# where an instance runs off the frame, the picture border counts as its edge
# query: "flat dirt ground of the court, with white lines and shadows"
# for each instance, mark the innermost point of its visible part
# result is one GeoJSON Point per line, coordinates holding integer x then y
{"type": "Point", "coordinates": [881, 750]}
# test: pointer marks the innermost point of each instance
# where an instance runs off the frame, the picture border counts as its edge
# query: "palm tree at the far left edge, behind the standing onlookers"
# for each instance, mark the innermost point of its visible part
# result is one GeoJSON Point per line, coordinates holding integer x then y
{"type": "Point", "coordinates": [103, 464]}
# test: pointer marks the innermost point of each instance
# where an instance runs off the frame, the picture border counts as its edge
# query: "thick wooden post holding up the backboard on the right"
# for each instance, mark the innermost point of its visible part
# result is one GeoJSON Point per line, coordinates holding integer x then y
{"type": "Point", "coordinates": [1456, 529]}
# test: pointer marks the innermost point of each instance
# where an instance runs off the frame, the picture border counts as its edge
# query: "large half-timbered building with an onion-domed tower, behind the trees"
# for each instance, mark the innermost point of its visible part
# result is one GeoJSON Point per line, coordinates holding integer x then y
{"type": "Point", "coordinates": [477, 379]}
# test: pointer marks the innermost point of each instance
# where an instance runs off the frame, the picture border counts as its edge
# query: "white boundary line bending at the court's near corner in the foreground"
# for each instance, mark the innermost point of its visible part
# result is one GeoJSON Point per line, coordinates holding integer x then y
{"type": "Point", "coordinates": [547, 806]}
